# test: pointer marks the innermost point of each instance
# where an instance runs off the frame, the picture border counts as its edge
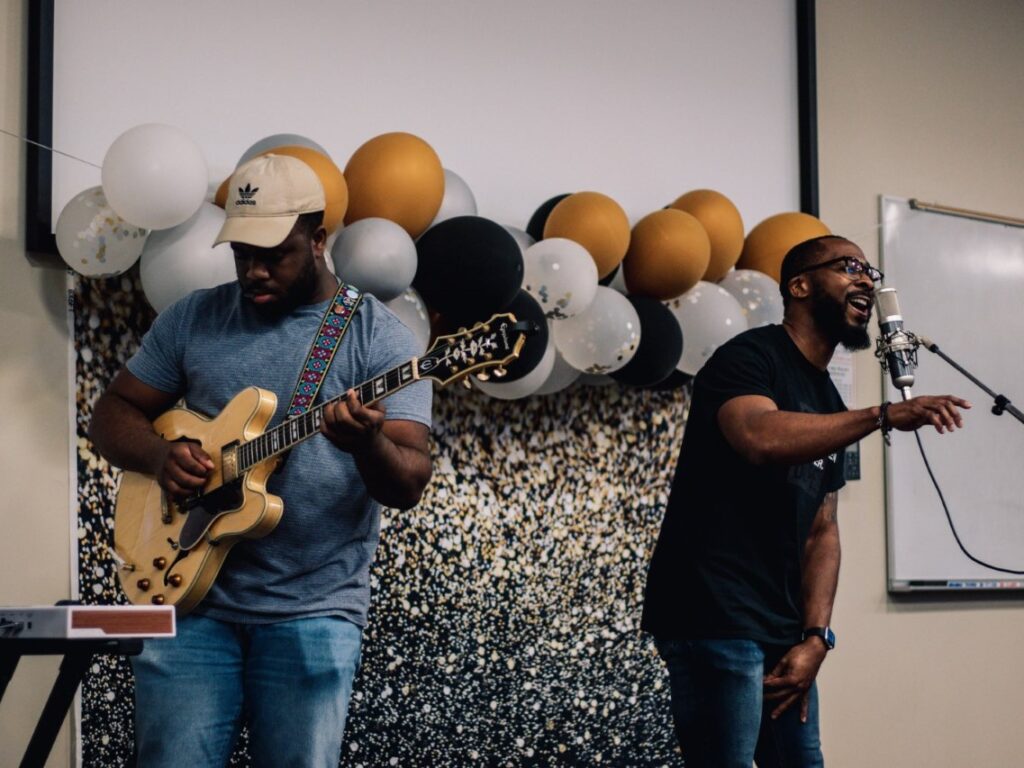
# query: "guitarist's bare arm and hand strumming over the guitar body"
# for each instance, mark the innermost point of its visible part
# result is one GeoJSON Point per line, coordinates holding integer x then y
{"type": "Point", "coordinates": [122, 432]}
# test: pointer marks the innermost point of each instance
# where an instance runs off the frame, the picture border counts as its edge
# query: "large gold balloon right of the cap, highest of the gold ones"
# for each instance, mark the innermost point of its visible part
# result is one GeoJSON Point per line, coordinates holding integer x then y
{"type": "Point", "coordinates": [396, 177]}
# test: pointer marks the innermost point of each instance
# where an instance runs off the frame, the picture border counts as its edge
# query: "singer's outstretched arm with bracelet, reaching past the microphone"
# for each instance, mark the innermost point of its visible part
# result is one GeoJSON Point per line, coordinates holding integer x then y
{"type": "Point", "coordinates": [756, 430]}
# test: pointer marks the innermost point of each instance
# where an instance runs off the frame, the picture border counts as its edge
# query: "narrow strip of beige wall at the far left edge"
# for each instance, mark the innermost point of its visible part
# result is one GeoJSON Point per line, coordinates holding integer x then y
{"type": "Point", "coordinates": [34, 466]}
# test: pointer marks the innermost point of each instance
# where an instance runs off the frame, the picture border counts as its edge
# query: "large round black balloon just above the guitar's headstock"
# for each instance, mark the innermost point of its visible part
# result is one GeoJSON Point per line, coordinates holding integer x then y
{"type": "Point", "coordinates": [468, 269]}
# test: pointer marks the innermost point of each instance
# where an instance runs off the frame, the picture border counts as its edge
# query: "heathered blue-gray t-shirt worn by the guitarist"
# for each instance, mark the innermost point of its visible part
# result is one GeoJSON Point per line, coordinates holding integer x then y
{"type": "Point", "coordinates": [212, 345]}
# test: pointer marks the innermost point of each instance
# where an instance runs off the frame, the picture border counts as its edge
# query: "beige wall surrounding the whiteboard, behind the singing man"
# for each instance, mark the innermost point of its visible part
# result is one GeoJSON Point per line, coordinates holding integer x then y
{"type": "Point", "coordinates": [918, 99]}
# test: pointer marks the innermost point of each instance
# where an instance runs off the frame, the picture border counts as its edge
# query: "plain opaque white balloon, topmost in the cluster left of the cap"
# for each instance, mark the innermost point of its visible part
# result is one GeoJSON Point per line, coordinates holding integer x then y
{"type": "Point", "coordinates": [155, 177]}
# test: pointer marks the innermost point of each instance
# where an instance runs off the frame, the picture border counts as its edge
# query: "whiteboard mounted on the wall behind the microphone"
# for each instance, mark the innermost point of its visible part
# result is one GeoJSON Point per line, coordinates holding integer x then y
{"type": "Point", "coordinates": [961, 284]}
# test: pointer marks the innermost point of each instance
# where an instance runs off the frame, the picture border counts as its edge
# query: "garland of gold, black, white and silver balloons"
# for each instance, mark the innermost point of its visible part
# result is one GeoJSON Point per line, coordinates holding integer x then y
{"type": "Point", "coordinates": [646, 305]}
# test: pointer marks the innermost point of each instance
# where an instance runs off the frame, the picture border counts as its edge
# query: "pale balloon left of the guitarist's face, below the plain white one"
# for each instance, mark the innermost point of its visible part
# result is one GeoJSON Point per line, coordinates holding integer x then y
{"type": "Point", "coordinates": [183, 260]}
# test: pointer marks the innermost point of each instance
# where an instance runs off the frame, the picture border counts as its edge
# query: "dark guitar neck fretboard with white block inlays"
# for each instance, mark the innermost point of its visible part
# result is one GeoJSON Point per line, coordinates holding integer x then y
{"type": "Point", "coordinates": [291, 433]}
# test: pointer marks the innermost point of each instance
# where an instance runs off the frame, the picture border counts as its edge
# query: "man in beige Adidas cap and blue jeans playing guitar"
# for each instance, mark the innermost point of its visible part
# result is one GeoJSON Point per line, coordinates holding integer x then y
{"type": "Point", "coordinates": [277, 638]}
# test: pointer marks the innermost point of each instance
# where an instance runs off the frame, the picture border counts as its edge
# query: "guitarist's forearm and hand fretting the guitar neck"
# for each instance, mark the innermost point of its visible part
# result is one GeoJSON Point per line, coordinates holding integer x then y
{"type": "Point", "coordinates": [393, 456]}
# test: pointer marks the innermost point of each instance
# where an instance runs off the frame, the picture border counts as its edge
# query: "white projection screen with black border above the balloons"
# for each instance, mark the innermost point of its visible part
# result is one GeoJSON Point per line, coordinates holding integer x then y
{"type": "Point", "coordinates": [639, 101]}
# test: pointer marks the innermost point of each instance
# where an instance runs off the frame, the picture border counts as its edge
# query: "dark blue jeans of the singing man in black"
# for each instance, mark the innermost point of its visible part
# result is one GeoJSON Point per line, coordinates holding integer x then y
{"type": "Point", "coordinates": [721, 718]}
